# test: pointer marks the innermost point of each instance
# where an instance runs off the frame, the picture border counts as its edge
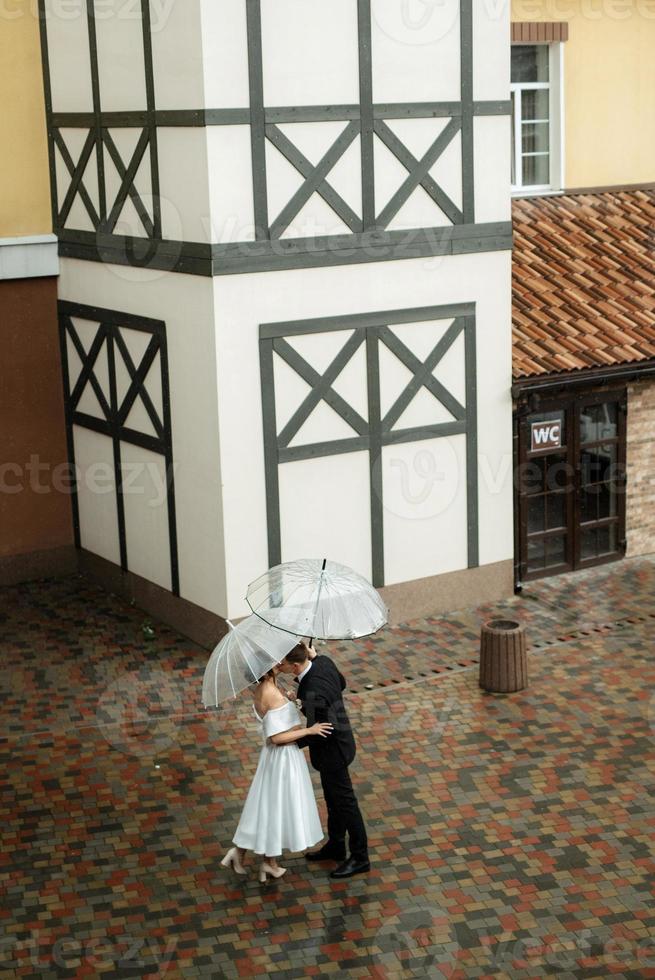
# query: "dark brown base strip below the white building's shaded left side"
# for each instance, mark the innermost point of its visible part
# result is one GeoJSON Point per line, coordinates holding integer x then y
{"type": "Point", "coordinates": [203, 627]}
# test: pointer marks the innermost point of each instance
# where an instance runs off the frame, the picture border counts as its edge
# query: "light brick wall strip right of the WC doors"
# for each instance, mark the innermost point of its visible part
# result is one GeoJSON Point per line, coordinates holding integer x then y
{"type": "Point", "coordinates": [640, 503]}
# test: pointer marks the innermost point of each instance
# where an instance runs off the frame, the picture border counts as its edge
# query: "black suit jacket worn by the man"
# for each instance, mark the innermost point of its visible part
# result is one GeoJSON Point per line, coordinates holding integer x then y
{"type": "Point", "coordinates": [320, 691]}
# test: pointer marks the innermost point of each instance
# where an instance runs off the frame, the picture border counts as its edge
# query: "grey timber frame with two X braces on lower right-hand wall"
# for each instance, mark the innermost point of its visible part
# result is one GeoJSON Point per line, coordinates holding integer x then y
{"type": "Point", "coordinates": [372, 434]}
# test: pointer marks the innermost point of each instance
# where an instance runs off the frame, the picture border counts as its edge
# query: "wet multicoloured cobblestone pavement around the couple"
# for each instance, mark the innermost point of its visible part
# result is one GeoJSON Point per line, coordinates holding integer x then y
{"type": "Point", "coordinates": [511, 835]}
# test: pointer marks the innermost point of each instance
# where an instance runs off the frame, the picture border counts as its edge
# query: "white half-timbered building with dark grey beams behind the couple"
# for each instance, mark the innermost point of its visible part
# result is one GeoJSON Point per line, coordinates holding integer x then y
{"type": "Point", "coordinates": [284, 294]}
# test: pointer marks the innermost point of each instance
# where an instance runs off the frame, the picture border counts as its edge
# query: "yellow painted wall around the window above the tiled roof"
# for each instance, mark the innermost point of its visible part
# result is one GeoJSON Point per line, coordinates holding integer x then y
{"type": "Point", "coordinates": [609, 85]}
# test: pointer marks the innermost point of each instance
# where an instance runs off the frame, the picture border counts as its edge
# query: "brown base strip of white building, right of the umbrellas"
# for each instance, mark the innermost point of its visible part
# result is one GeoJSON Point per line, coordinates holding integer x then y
{"type": "Point", "coordinates": [444, 593]}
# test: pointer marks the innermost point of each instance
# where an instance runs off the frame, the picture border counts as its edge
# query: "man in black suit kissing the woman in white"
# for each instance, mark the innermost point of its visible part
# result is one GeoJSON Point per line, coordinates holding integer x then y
{"type": "Point", "coordinates": [320, 688]}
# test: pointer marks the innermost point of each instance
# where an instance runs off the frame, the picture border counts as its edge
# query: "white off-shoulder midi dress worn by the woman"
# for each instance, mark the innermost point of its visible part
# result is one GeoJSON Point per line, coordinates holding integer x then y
{"type": "Point", "coordinates": [280, 812]}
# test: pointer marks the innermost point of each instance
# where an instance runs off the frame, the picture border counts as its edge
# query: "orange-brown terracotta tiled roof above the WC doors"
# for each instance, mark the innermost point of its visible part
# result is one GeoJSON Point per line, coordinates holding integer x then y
{"type": "Point", "coordinates": [583, 281]}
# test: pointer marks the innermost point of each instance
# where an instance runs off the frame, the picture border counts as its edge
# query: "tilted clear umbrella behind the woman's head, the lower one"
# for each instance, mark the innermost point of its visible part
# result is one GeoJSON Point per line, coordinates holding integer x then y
{"type": "Point", "coordinates": [242, 657]}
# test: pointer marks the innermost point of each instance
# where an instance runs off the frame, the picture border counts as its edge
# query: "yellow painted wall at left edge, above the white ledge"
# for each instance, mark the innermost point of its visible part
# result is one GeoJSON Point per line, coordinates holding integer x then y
{"type": "Point", "coordinates": [24, 179]}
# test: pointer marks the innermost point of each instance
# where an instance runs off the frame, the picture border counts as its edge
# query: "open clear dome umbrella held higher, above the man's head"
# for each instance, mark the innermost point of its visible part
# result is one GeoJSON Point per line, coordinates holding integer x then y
{"type": "Point", "coordinates": [317, 598]}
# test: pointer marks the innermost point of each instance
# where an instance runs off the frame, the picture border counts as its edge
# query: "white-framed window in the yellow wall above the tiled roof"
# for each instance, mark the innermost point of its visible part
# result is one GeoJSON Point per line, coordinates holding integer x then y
{"type": "Point", "coordinates": [537, 117]}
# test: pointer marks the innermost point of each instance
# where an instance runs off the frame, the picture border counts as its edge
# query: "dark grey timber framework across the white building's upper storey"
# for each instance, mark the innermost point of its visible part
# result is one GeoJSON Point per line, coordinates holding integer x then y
{"type": "Point", "coordinates": [368, 237]}
